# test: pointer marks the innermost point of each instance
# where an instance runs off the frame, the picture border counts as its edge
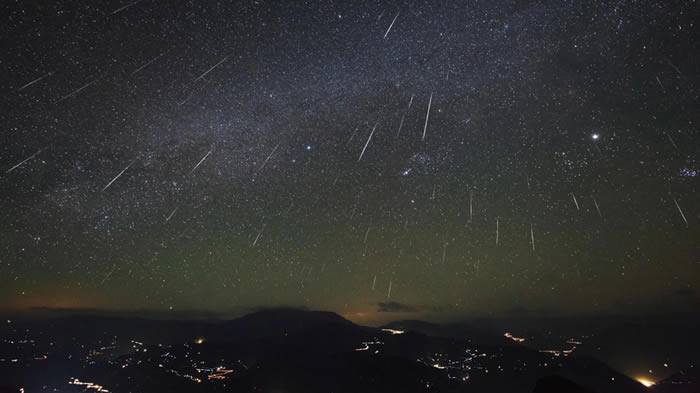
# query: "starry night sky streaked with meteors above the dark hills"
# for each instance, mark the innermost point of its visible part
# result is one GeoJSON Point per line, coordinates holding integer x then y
{"type": "Point", "coordinates": [377, 159]}
